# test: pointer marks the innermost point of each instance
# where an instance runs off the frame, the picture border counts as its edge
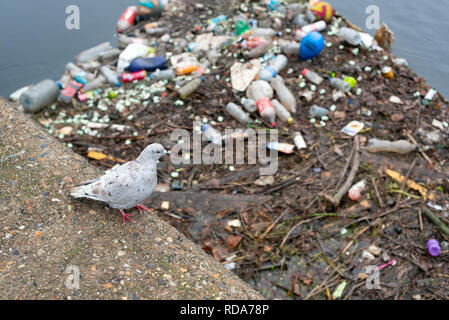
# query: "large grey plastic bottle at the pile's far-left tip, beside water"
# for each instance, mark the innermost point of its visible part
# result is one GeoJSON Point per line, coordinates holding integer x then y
{"type": "Point", "coordinates": [39, 95]}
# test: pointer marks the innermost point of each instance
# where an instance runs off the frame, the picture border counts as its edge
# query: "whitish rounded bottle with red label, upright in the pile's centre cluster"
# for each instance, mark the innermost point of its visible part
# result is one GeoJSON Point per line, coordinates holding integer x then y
{"type": "Point", "coordinates": [258, 92]}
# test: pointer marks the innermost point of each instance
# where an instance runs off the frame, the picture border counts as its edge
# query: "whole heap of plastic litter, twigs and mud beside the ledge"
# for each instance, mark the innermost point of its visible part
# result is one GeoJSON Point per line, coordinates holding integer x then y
{"type": "Point", "coordinates": [362, 179]}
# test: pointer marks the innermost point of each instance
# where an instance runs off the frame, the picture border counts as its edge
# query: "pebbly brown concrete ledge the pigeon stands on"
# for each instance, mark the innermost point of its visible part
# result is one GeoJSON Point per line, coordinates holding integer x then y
{"type": "Point", "coordinates": [43, 231]}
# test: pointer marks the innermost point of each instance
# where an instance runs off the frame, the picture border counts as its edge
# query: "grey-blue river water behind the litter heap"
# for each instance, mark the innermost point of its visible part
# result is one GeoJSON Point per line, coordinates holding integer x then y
{"type": "Point", "coordinates": [35, 43]}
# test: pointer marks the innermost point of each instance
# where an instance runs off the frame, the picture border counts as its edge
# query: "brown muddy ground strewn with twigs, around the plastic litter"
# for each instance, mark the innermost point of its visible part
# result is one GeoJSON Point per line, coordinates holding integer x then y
{"type": "Point", "coordinates": [289, 241]}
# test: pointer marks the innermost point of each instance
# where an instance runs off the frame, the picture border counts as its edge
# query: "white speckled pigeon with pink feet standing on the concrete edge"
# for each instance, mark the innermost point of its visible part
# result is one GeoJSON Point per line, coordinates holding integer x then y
{"type": "Point", "coordinates": [125, 186]}
